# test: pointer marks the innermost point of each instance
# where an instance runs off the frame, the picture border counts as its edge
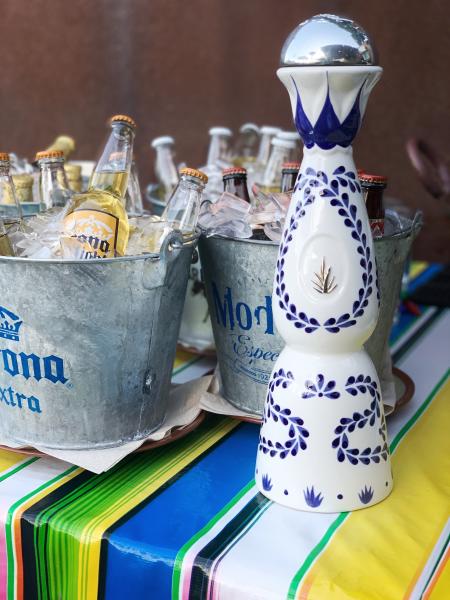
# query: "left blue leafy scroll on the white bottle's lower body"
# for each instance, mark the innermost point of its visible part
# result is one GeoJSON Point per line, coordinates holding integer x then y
{"type": "Point", "coordinates": [297, 433]}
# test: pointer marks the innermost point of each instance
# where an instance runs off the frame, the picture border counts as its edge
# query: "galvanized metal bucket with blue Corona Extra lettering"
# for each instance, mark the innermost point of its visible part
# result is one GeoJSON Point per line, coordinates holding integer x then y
{"type": "Point", "coordinates": [87, 347]}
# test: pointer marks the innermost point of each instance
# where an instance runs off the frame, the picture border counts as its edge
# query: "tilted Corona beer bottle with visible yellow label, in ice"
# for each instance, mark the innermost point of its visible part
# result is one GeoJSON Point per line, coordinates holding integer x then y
{"type": "Point", "coordinates": [98, 217]}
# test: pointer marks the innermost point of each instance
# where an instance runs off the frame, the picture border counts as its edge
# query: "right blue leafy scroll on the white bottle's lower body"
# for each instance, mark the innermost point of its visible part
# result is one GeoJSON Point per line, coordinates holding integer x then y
{"type": "Point", "coordinates": [355, 385]}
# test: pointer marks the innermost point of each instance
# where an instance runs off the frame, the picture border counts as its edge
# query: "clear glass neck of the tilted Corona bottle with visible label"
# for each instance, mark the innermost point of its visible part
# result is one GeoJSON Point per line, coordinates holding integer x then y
{"type": "Point", "coordinates": [113, 168]}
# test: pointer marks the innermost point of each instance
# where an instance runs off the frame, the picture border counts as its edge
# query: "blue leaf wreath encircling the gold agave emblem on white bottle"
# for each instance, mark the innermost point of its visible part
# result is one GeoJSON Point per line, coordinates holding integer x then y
{"type": "Point", "coordinates": [316, 183]}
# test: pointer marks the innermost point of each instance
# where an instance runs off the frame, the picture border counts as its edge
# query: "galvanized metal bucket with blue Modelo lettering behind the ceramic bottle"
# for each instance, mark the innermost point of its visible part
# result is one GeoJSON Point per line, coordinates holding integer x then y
{"type": "Point", "coordinates": [239, 279]}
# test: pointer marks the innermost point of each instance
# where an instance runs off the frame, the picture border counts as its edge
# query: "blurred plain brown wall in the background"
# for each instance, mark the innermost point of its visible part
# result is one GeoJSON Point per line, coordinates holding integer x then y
{"type": "Point", "coordinates": [180, 67]}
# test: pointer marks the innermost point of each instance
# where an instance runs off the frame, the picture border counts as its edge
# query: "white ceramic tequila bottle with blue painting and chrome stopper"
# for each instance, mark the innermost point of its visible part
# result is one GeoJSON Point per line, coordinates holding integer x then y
{"type": "Point", "coordinates": [323, 443]}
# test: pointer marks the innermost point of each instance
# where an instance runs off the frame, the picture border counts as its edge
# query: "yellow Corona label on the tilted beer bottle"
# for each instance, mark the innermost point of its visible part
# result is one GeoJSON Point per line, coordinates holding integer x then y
{"type": "Point", "coordinates": [97, 230]}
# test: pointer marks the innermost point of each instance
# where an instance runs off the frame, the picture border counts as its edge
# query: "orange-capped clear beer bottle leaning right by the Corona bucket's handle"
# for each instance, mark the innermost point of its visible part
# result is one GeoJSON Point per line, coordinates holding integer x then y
{"type": "Point", "coordinates": [183, 207]}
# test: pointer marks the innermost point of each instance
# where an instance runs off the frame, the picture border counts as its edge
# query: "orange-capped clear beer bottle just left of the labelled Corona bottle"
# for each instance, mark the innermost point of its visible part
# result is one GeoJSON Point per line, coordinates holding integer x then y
{"type": "Point", "coordinates": [53, 185]}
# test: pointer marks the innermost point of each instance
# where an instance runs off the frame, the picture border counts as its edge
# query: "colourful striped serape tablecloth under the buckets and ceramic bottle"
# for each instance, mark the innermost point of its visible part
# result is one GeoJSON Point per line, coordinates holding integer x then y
{"type": "Point", "coordinates": [186, 521]}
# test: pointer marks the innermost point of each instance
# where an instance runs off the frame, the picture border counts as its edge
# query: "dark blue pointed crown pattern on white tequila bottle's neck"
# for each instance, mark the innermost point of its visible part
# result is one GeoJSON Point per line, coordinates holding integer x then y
{"type": "Point", "coordinates": [328, 131]}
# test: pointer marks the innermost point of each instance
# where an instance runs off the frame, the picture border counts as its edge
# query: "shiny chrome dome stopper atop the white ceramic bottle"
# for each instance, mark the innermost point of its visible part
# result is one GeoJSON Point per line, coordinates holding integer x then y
{"type": "Point", "coordinates": [328, 40]}
